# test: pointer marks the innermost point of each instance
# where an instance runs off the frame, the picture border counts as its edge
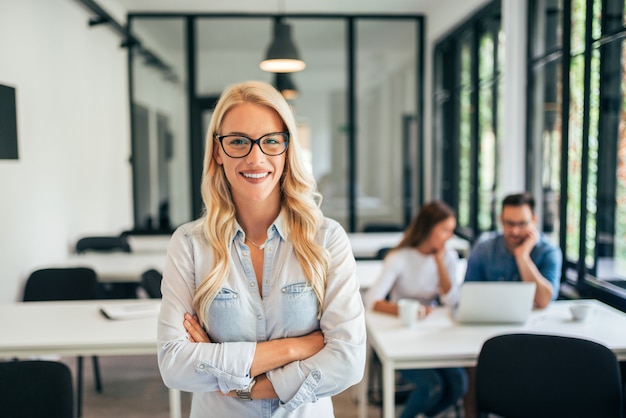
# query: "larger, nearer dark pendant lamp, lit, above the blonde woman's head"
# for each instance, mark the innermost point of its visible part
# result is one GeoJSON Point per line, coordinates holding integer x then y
{"type": "Point", "coordinates": [282, 55]}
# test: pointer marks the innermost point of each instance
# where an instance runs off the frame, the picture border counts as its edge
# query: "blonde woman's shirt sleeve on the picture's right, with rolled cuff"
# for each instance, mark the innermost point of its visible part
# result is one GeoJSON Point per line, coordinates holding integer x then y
{"type": "Point", "coordinates": [340, 364]}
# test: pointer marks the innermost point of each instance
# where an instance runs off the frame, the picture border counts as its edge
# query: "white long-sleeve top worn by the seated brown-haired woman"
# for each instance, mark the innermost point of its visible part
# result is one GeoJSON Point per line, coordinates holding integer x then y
{"type": "Point", "coordinates": [407, 273]}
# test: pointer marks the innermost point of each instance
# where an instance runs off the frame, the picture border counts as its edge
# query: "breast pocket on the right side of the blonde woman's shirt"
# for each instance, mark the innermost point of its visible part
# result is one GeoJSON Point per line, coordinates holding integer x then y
{"type": "Point", "coordinates": [299, 308]}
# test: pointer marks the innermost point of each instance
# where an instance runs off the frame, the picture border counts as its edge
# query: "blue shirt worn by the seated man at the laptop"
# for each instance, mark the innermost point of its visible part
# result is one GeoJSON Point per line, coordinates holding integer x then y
{"type": "Point", "coordinates": [491, 261]}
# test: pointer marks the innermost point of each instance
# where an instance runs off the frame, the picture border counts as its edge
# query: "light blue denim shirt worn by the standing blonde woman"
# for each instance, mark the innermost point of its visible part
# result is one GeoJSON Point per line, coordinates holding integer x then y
{"type": "Point", "coordinates": [239, 318]}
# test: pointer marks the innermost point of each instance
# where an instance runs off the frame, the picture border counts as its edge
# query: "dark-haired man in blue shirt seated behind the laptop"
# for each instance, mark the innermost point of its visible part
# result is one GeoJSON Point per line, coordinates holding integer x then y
{"type": "Point", "coordinates": [519, 252]}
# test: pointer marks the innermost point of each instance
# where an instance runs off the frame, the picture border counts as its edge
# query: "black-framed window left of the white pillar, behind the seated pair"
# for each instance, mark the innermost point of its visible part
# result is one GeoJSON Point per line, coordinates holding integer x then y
{"type": "Point", "coordinates": [468, 68]}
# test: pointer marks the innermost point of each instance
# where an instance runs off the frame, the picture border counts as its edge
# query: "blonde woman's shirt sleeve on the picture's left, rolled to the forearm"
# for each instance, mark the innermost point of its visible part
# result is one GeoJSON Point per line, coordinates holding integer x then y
{"type": "Point", "coordinates": [187, 366]}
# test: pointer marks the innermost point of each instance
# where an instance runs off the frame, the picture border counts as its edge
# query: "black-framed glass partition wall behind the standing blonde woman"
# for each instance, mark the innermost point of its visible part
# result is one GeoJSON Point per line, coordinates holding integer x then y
{"type": "Point", "coordinates": [357, 109]}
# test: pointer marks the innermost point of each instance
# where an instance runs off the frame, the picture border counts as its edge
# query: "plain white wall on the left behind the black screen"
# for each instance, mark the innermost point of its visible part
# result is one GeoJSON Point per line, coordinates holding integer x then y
{"type": "Point", "coordinates": [72, 176]}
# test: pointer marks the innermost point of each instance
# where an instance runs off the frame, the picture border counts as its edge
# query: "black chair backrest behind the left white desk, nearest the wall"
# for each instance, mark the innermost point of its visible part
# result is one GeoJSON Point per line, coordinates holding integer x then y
{"type": "Point", "coordinates": [71, 283]}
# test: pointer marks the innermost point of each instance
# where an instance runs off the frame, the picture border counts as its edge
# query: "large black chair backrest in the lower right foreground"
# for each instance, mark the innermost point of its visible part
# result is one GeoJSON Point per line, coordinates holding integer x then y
{"type": "Point", "coordinates": [529, 375]}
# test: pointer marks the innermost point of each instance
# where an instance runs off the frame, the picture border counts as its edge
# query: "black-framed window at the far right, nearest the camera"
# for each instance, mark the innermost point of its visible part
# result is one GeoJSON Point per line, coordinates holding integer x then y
{"type": "Point", "coordinates": [577, 74]}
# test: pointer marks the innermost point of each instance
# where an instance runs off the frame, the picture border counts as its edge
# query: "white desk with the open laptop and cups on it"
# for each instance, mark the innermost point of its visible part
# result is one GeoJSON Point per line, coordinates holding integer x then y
{"type": "Point", "coordinates": [439, 342]}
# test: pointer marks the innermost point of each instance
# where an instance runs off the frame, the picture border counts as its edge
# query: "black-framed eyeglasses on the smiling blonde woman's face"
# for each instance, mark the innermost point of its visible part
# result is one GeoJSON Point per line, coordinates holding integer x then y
{"type": "Point", "coordinates": [238, 146]}
